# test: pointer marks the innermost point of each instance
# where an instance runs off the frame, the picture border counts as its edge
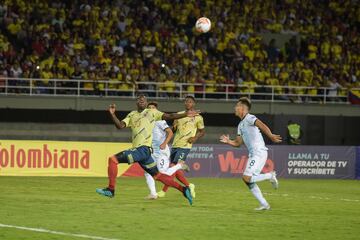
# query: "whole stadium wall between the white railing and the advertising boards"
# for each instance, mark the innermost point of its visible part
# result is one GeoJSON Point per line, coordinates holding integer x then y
{"type": "Point", "coordinates": [86, 119]}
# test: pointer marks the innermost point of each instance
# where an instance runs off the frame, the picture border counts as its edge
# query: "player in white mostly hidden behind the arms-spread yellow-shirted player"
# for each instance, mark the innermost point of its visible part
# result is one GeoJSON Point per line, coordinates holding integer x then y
{"type": "Point", "coordinates": [162, 135]}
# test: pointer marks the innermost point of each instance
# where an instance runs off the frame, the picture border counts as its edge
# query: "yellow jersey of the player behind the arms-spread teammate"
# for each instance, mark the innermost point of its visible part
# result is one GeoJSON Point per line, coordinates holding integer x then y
{"type": "Point", "coordinates": [186, 128]}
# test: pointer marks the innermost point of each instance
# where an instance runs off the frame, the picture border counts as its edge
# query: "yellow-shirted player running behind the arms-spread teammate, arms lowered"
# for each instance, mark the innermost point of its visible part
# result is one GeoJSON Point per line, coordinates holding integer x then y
{"type": "Point", "coordinates": [187, 131]}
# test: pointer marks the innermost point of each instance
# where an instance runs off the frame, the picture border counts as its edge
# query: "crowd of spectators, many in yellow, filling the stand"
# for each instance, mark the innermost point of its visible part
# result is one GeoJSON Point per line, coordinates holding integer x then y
{"type": "Point", "coordinates": [133, 41]}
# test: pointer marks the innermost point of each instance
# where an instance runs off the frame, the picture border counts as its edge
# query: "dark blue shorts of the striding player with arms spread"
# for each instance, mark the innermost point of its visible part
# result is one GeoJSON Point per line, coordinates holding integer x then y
{"type": "Point", "coordinates": [141, 155]}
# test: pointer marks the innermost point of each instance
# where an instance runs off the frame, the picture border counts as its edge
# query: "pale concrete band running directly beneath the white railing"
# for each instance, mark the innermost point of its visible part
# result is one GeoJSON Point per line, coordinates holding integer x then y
{"type": "Point", "coordinates": [126, 104]}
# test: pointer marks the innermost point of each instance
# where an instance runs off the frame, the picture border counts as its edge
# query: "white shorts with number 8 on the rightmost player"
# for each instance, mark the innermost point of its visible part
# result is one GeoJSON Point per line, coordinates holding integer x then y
{"type": "Point", "coordinates": [256, 163]}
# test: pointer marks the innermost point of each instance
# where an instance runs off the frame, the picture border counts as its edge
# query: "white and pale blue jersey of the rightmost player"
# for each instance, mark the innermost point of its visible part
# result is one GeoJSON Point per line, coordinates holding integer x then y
{"type": "Point", "coordinates": [251, 134]}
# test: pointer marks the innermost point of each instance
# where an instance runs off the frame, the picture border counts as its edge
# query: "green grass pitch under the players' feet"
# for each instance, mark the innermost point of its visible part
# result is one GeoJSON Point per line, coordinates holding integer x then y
{"type": "Point", "coordinates": [223, 209]}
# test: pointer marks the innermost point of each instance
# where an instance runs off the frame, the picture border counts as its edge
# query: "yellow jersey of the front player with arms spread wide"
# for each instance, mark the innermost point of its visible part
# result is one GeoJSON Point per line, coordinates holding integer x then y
{"type": "Point", "coordinates": [142, 124]}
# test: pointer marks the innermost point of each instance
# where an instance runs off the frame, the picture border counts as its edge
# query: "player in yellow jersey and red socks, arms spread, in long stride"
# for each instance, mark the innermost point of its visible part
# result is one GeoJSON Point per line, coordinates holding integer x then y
{"type": "Point", "coordinates": [142, 122]}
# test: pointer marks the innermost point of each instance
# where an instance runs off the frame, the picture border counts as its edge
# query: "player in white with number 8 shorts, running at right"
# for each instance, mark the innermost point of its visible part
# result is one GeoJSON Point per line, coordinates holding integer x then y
{"type": "Point", "coordinates": [250, 135]}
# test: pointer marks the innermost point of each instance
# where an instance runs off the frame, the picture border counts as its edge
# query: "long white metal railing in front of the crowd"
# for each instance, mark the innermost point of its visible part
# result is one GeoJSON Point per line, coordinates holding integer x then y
{"type": "Point", "coordinates": [224, 92]}
